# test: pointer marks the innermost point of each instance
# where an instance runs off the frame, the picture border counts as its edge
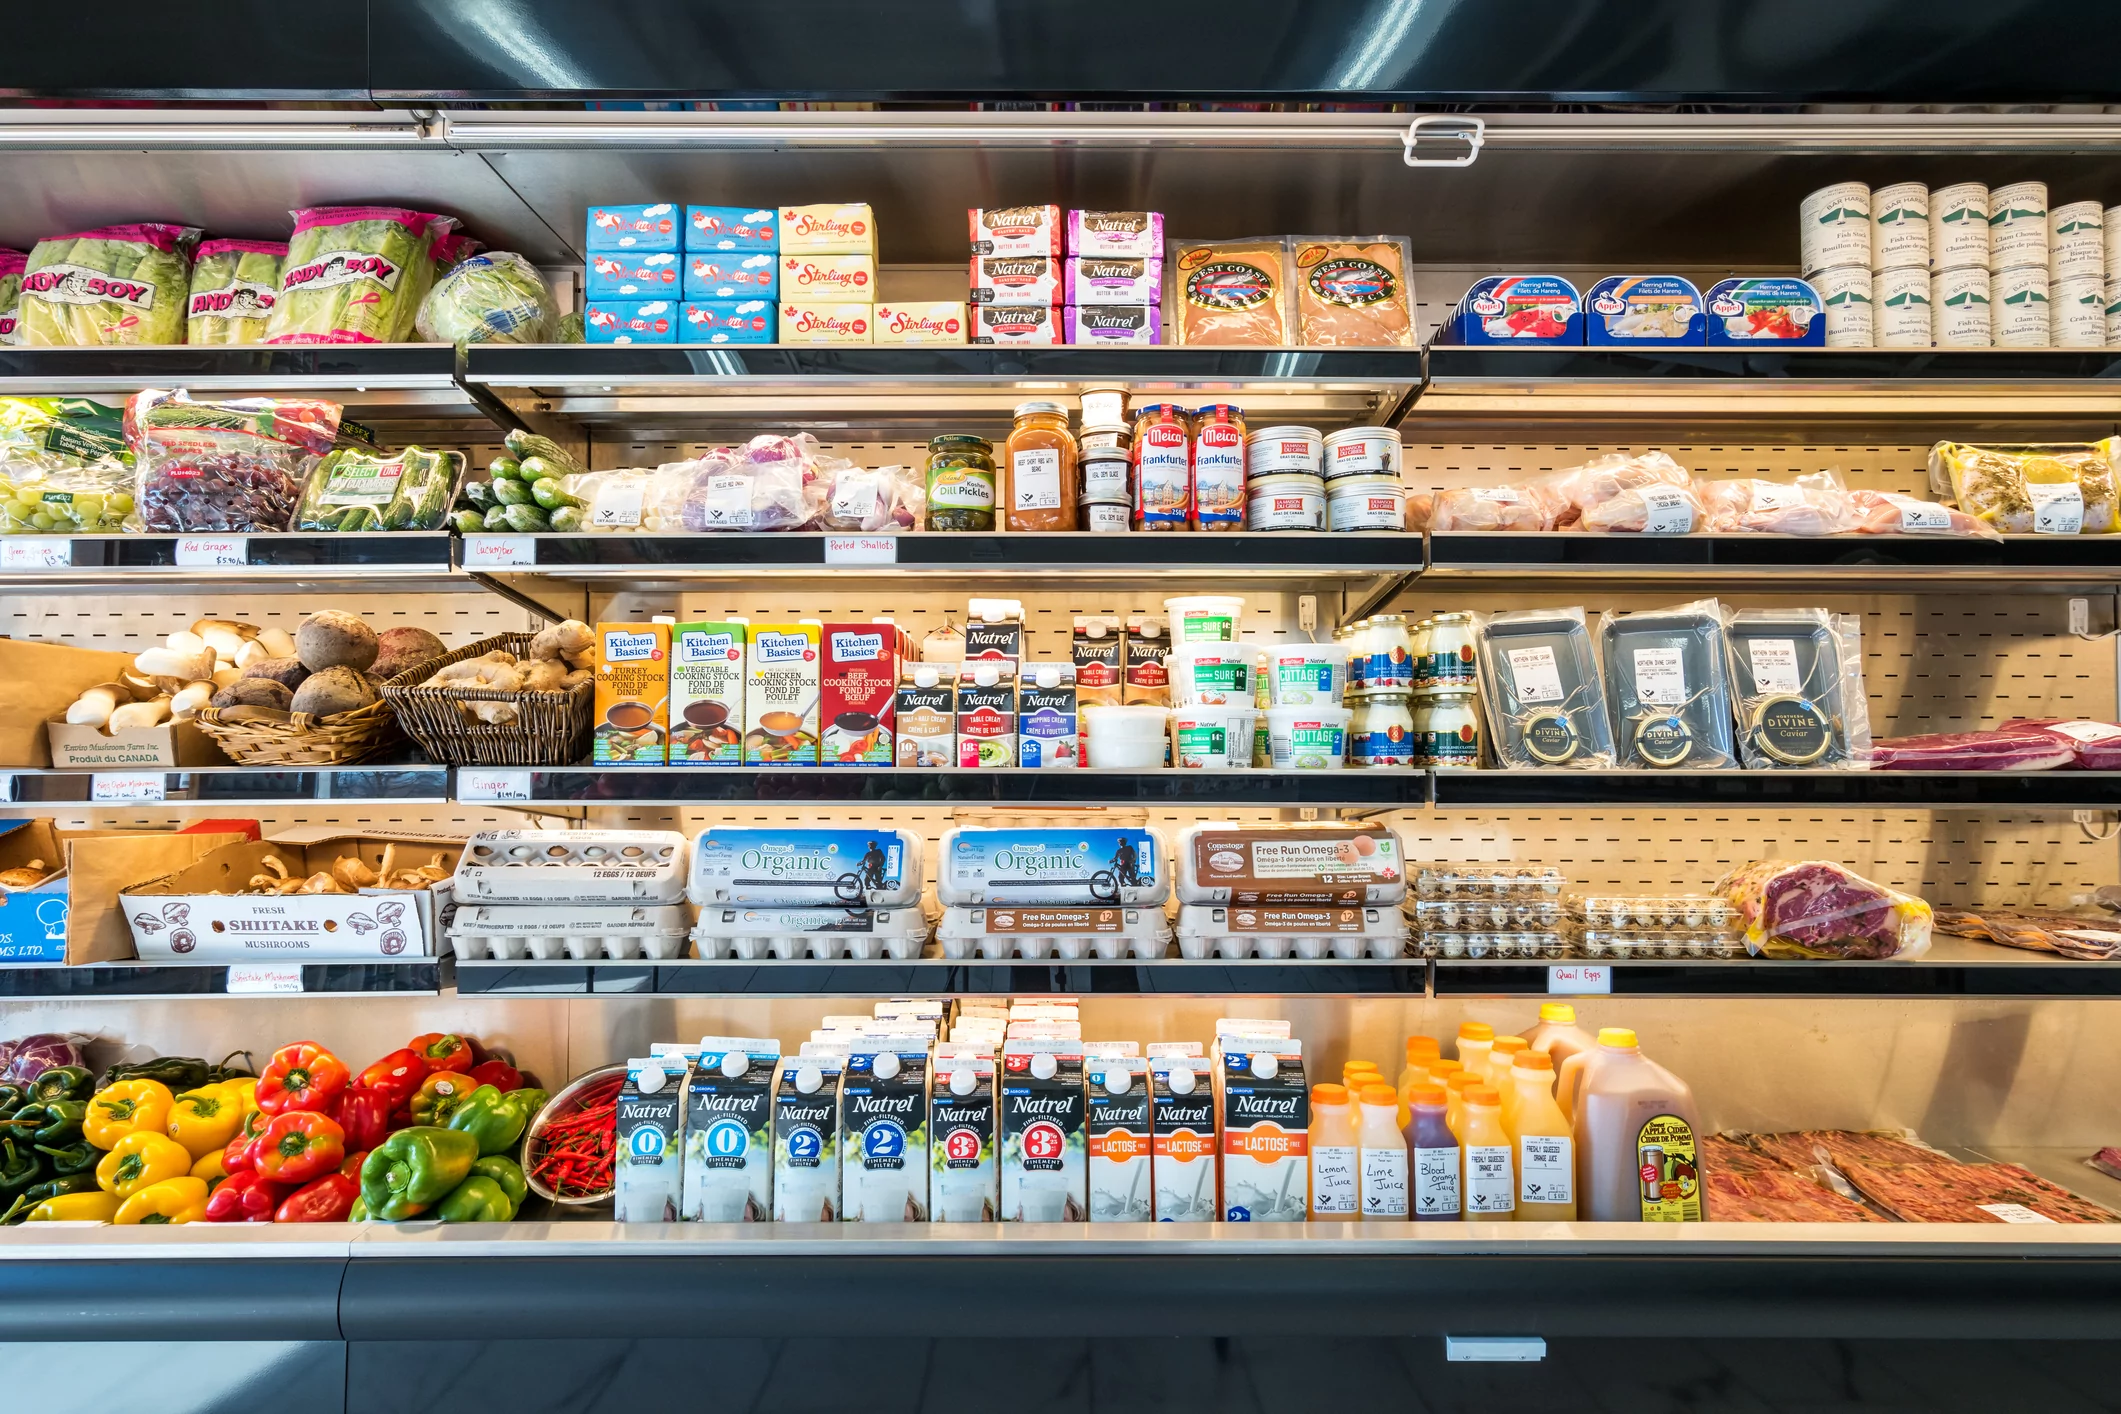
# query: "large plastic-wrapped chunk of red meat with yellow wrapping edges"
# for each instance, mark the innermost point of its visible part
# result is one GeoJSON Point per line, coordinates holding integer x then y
{"type": "Point", "coordinates": [1821, 911]}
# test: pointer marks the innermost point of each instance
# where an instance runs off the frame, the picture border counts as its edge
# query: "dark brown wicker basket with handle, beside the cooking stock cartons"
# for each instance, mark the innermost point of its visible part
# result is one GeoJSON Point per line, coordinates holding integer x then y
{"type": "Point", "coordinates": [548, 730]}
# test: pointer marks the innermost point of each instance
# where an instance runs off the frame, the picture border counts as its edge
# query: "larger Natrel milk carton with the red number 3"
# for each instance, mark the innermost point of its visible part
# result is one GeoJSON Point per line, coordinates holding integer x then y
{"type": "Point", "coordinates": [1042, 1142]}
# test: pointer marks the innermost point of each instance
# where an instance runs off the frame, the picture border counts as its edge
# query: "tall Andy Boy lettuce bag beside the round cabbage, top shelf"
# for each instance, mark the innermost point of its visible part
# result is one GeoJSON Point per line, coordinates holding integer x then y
{"type": "Point", "coordinates": [355, 275]}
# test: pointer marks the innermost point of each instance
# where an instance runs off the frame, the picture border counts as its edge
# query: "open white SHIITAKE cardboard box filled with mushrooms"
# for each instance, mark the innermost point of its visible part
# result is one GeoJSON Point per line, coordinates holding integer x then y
{"type": "Point", "coordinates": [194, 915]}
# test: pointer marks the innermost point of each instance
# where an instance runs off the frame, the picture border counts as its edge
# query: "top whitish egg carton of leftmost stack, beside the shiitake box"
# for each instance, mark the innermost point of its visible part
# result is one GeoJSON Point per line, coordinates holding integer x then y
{"type": "Point", "coordinates": [578, 866]}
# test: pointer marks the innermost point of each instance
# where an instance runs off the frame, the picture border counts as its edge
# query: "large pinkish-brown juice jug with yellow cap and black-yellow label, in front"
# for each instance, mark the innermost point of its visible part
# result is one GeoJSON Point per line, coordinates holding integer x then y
{"type": "Point", "coordinates": [1636, 1139]}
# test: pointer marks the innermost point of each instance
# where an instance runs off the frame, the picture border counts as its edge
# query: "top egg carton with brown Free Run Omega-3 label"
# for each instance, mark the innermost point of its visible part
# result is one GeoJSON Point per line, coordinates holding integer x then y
{"type": "Point", "coordinates": [1291, 864]}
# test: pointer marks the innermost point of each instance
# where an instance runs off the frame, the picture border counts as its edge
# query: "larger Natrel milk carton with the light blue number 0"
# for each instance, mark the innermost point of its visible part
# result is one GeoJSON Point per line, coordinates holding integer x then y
{"type": "Point", "coordinates": [729, 1131]}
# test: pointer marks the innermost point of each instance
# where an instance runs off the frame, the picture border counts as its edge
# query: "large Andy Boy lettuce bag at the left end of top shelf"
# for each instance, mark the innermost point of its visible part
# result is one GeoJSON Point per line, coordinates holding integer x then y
{"type": "Point", "coordinates": [116, 285]}
